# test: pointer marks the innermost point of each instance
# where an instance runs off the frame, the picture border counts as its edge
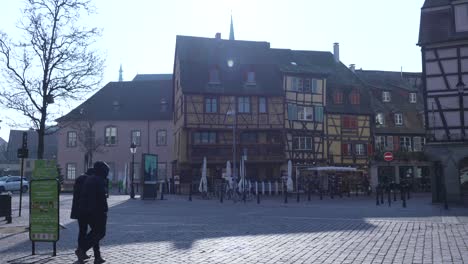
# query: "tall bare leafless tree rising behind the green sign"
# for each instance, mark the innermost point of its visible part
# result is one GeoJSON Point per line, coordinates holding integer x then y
{"type": "Point", "coordinates": [53, 62]}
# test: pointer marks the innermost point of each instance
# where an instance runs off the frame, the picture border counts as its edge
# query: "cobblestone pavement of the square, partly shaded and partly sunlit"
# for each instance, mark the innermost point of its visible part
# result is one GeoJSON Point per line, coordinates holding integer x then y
{"type": "Point", "coordinates": [343, 230]}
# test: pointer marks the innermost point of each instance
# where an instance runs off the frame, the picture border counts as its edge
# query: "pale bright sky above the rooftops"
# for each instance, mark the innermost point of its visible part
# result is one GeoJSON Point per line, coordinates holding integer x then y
{"type": "Point", "coordinates": [141, 34]}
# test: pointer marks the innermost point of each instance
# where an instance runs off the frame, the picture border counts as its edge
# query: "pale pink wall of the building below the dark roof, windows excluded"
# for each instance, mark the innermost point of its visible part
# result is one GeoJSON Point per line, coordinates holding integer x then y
{"type": "Point", "coordinates": [118, 155]}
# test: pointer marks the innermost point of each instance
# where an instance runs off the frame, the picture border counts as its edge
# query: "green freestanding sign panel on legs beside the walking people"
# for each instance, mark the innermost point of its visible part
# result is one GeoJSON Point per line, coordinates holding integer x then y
{"type": "Point", "coordinates": [44, 205]}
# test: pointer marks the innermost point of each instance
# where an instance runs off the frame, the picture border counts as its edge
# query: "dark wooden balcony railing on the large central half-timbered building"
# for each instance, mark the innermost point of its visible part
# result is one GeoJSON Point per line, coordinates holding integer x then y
{"type": "Point", "coordinates": [222, 153]}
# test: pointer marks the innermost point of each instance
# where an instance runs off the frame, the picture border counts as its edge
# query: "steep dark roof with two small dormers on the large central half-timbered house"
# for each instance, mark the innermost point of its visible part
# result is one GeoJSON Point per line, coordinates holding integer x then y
{"type": "Point", "coordinates": [197, 56]}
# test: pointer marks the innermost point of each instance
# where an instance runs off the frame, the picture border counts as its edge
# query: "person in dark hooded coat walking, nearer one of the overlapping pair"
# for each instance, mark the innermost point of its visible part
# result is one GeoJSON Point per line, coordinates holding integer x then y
{"type": "Point", "coordinates": [93, 208]}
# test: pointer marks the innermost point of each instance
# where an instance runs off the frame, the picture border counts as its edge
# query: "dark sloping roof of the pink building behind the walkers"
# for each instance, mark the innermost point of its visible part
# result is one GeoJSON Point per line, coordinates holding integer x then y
{"type": "Point", "coordinates": [139, 100]}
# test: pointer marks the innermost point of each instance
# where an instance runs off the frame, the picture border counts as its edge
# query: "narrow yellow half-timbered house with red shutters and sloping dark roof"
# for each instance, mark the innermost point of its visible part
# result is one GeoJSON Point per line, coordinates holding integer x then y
{"type": "Point", "coordinates": [348, 119]}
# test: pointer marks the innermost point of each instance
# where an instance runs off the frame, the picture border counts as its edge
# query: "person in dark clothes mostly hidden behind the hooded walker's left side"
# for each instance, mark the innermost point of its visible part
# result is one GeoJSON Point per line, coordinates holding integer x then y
{"type": "Point", "coordinates": [75, 211]}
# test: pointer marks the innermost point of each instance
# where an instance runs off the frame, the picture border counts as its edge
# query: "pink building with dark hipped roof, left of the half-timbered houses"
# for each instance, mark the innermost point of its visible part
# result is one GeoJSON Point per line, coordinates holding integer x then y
{"type": "Point", "coordinates": [104, 126]}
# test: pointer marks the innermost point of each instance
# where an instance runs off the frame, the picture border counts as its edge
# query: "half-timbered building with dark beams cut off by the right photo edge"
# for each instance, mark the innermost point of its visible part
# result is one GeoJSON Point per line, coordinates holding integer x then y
{"type": "Point", "coordinates": [443, 38]}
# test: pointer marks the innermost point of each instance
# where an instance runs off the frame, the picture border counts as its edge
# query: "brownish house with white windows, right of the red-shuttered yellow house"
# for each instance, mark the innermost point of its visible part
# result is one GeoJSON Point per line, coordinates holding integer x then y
{"type": "Point", "coordinates": [398, 128]}
